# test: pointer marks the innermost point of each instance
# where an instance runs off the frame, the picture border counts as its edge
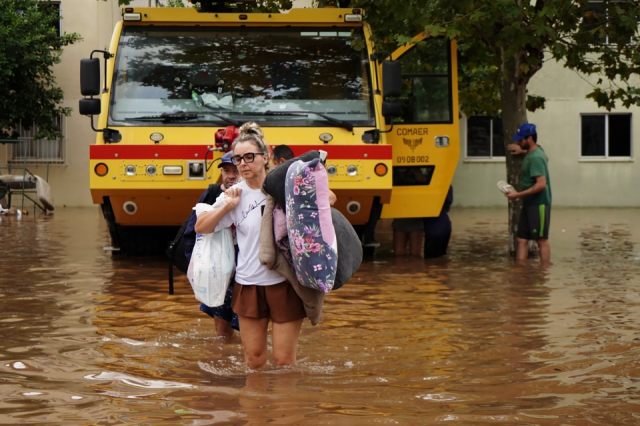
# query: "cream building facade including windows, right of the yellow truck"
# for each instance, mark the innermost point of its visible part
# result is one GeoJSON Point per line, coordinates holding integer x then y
{"type": "Point", "coordinates": [591, 151]}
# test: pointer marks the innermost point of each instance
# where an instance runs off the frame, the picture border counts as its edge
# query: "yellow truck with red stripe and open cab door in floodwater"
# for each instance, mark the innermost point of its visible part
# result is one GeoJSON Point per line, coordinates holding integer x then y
{"type": "Point", "coordinates": [174, 77]}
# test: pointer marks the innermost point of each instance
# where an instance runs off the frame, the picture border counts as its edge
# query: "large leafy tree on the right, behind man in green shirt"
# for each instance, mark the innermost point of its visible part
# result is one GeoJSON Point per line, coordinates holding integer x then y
{"type": "Point", "coordinates": [504, 43]}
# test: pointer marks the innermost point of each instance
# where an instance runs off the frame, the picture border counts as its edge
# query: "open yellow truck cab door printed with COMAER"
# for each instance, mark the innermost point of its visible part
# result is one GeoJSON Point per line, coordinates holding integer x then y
{"type": "Point", "coordinates": [426, 135]}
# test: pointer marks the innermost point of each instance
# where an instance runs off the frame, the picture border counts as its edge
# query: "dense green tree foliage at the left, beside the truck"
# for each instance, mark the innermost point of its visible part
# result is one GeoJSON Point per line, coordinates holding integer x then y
{"type": "Point", "coordinates": [30, 47]}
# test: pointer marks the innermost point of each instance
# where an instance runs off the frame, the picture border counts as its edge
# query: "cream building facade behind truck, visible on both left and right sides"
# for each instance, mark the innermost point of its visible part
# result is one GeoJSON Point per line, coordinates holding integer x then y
{"type": "Point", "coordinates": [591, 151]}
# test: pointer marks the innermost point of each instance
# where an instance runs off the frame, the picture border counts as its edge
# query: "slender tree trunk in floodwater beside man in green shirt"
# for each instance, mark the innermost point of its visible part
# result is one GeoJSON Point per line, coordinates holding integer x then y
{"type": "Point", "coordinates": [514, 113]}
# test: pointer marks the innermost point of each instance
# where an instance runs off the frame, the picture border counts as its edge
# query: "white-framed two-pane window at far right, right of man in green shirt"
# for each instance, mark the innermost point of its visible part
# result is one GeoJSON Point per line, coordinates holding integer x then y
{"type": "Point", "coordinates": [605, 135]}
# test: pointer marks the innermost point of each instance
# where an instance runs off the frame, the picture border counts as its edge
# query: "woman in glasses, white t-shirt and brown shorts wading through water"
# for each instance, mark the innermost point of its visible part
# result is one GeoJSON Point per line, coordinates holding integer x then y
{"type": "Point", "coordinates": [259, 294]}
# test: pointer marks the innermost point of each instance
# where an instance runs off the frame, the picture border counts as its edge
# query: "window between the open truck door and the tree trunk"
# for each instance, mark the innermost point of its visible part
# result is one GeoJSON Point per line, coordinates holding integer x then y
{"type": "Point", "coordinates": [484, 137]}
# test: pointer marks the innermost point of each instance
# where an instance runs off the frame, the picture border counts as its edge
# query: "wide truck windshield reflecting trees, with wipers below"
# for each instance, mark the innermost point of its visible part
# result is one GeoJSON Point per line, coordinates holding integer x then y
{"type": "Point", "coordinates": [241, 73]}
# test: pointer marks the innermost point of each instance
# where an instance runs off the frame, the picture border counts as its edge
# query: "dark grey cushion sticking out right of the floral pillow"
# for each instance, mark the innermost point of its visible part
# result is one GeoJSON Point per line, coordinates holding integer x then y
{"type": "Point", "coordinates": [349, 249]}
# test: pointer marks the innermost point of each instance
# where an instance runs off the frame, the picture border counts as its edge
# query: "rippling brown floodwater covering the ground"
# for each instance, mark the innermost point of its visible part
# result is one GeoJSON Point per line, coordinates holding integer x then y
{"type": "Point", "coordinates": [88, 338]}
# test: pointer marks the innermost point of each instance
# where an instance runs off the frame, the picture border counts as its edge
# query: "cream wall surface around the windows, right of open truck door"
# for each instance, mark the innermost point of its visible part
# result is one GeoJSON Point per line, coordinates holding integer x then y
{"type": "Point", "coordinates": [575, 182]}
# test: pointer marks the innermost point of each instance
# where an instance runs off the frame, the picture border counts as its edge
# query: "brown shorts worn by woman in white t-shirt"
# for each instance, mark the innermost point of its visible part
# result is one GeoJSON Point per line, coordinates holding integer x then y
{"type": "Point", "coordinates": [280, 302]}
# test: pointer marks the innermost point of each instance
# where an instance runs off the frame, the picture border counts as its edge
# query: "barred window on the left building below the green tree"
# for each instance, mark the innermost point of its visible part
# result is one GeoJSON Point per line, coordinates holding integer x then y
{"type": "Point", "coordinates": [35, 151]}
